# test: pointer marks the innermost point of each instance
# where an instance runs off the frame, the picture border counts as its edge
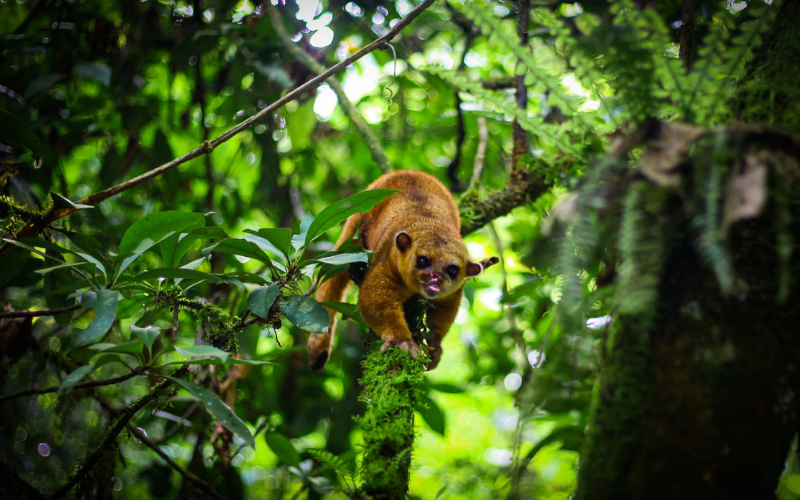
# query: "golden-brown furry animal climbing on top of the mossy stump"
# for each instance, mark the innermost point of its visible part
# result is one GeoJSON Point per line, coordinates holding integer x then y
{"type": "Point", "coordinates": [420, 221]}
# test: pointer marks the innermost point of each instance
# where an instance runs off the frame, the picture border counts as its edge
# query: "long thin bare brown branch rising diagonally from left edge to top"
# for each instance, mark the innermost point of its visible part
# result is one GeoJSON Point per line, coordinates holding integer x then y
{"type": "Point", "coordinates": [208, 146]}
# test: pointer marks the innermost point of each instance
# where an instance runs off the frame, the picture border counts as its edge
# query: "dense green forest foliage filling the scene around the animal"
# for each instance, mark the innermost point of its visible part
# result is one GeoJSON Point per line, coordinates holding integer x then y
{"type": "Point", "coordinates": [193, 290]}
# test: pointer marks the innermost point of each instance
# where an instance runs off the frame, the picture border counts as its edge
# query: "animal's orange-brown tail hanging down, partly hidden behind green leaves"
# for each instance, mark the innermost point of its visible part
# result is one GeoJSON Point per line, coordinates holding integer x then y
{"type": "Point", "coordinates": [334, 290]}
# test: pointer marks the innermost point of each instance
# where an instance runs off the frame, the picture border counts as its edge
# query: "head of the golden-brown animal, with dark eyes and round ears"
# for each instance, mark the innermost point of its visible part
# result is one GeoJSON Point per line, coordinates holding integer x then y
{"type": "Point", "coordinates": [436, 266]}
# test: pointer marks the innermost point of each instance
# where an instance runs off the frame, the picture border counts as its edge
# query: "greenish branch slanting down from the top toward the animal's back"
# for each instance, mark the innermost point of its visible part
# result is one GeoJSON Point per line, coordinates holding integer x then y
{"type": "Point", "coordinates": [374, 145]}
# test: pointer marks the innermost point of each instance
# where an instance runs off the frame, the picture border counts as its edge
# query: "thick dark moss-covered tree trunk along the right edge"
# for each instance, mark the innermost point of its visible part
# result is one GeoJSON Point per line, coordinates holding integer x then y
{"type": "Point", "coordinates": [703, 404]}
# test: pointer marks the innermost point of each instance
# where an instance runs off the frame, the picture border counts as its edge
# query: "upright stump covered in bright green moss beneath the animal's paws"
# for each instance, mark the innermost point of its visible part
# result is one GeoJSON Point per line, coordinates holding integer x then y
{"type": "Point", "coordinates": [391, 386]}
